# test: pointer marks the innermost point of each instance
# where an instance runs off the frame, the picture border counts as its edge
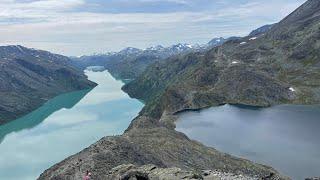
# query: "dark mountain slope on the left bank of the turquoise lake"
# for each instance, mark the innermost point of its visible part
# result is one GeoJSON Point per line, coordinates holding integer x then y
{"type": "Point", "coordinates": [29, 77]}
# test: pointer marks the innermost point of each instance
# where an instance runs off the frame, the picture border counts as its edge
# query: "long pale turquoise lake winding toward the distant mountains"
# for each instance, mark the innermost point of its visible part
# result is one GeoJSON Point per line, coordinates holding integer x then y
{"type": "Point", "coordinates": [64, 126]}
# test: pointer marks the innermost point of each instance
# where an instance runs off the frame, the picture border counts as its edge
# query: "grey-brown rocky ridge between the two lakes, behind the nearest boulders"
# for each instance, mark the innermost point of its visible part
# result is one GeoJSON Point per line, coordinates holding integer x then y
{"type": "Point", "coordinates": [160, 146]}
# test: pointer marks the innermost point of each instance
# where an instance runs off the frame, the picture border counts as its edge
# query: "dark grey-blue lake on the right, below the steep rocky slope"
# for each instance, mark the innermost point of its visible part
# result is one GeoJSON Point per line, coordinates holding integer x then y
{"type": "Point", "coordinates": [285, 137]}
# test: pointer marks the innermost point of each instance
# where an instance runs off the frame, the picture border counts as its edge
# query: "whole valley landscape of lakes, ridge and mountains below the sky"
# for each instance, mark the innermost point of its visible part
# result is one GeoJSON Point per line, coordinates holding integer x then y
{"type": "Point", "coordinates": [232, 108]}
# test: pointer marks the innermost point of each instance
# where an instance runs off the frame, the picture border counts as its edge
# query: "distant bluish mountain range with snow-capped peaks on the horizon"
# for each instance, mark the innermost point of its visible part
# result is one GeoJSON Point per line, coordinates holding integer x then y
{"type": "Point", "coordinates": [130, 62]}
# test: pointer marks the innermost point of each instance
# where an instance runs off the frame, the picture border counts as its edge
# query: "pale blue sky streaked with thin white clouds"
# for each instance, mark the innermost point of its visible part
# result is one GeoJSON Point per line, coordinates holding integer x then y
{"type": "Point", "coordinates": [79, 27]}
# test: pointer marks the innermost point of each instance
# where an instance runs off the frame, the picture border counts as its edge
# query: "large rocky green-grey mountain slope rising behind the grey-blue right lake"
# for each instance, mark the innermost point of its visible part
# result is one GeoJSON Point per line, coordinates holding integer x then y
{"type": "Point", "coordinates": [280, 66]}
